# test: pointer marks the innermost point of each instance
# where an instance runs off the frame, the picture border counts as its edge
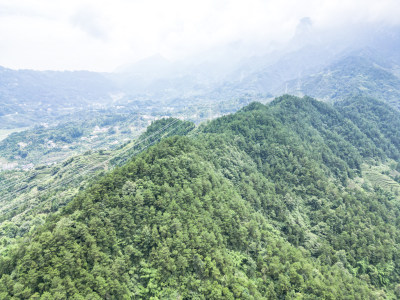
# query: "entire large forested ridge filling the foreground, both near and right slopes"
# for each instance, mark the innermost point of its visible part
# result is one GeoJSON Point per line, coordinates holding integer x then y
{"type": "Point", "coordinates": [269, 202]}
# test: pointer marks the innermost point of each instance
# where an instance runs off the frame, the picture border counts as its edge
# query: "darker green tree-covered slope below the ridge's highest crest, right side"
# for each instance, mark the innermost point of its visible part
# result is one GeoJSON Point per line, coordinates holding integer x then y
{"type": "Point", "coordinates": [315, 205]}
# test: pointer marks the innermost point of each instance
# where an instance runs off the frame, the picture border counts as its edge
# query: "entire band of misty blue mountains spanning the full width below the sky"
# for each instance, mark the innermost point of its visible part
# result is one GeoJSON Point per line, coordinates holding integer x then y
{"type": "Point", "coordinates": [311, 63]}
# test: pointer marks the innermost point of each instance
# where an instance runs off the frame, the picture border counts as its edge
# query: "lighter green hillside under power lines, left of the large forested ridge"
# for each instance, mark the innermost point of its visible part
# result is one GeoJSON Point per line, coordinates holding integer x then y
{"type": "Point", "coordinates": [28, 197]}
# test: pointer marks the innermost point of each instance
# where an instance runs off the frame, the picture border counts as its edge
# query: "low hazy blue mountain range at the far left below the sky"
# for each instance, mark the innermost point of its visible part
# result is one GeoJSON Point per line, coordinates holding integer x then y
{"type": "Point", "coordinates": [28, 97]}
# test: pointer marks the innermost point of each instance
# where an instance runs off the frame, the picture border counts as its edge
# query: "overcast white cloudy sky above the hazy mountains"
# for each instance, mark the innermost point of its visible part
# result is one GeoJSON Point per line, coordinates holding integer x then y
{"type": "Point", "coordinates": [104, 35]}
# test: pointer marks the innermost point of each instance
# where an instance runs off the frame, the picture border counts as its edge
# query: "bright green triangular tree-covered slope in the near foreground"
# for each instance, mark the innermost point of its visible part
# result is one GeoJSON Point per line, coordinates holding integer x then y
{"type": "Point", "coordinates": [166, 225]}
